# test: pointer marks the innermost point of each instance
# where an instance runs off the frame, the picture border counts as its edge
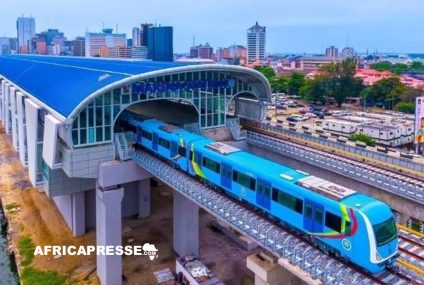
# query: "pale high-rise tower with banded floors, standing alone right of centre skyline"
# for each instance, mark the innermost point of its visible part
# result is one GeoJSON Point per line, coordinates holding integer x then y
{"type": "Point", "coordinates": [256, 37]}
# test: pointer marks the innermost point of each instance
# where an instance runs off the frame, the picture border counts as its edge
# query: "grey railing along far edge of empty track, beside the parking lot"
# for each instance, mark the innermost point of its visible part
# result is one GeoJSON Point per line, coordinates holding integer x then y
{"type": "Point", "coordinates": [398, 161]}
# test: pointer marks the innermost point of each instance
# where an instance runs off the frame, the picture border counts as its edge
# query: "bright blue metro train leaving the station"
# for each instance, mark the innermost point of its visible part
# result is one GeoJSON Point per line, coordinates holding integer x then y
{"type": "Point", "coordinates": [354, 226]}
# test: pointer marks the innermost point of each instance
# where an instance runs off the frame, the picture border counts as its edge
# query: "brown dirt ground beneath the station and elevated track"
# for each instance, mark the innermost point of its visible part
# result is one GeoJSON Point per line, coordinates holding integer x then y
{"type": "Point", "coordinates": [37, 217]}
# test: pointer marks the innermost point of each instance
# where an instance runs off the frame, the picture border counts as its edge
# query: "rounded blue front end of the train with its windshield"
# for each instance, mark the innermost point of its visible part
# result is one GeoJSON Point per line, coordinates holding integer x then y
{"type": "Point", "coordinates": [377, 232]}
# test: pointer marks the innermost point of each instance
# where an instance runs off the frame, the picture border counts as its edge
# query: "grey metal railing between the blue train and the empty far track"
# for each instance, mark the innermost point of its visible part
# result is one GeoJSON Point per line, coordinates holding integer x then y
{"type": "Point", "coordinates": [395, 184]}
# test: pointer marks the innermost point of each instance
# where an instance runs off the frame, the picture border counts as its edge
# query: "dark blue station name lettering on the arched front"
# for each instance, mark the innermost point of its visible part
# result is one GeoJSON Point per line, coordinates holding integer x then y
{"type": "Point", "coordinates": [144, 86]}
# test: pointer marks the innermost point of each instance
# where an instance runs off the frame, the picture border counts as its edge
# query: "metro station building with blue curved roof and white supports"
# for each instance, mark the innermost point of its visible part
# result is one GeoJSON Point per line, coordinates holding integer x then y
{"type": "Point", "coordinates": [60, 113]}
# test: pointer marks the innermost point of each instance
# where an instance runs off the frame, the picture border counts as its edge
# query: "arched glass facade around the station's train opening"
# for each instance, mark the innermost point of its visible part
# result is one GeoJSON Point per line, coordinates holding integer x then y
{"type": "Point", "coordinates": [94, 125]}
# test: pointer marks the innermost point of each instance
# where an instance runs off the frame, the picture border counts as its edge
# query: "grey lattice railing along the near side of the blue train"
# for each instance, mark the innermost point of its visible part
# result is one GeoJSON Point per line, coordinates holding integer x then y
{"type": "Point", "coordinates": [317, 264]}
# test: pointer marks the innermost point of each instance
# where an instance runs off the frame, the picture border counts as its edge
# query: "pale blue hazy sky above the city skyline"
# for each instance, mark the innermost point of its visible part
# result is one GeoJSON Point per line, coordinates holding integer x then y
{"type": "Point", "coordinates": [298, 26]}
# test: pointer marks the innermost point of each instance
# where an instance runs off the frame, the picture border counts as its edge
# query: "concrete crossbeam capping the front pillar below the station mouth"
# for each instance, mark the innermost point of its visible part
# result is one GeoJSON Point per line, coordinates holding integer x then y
{"type": "Point", "coordinates": [112, 173]}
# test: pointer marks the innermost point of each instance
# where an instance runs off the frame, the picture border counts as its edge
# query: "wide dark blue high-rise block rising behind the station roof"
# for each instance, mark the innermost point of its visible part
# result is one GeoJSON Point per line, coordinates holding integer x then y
{"type": "Point", "coordinates": [160, 43]}
